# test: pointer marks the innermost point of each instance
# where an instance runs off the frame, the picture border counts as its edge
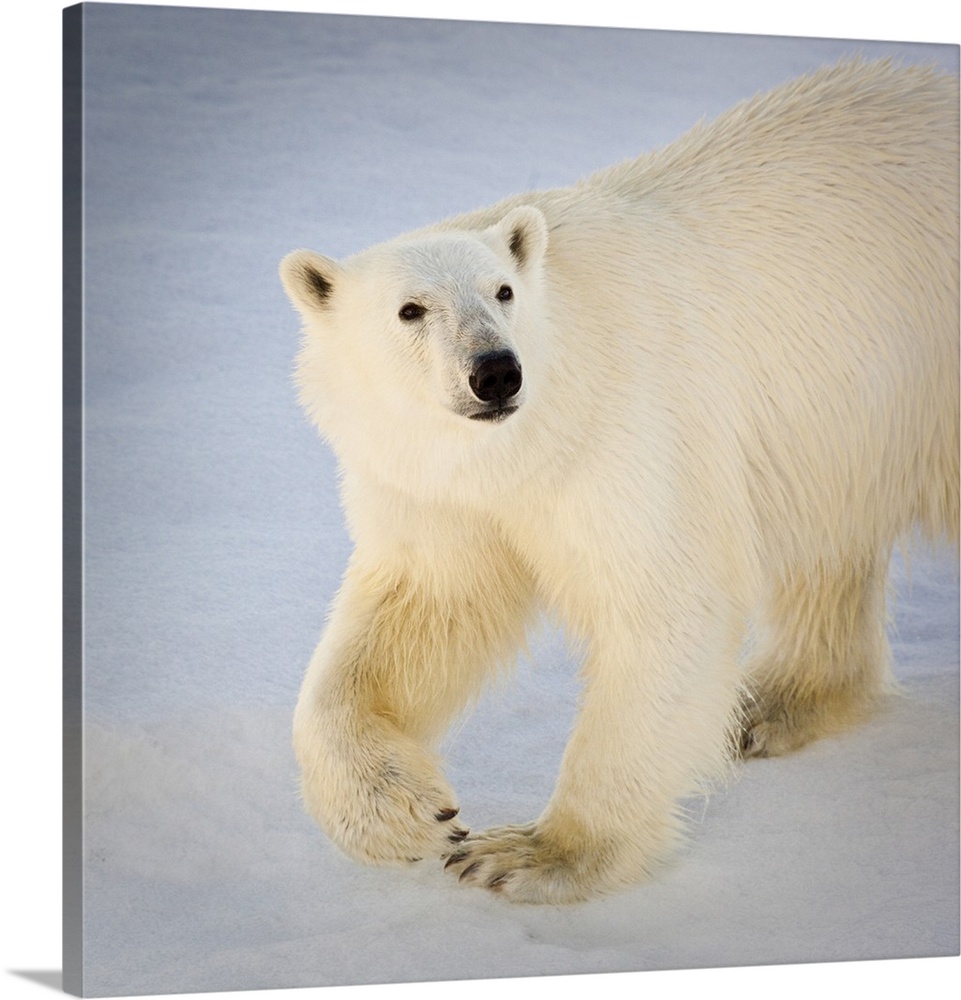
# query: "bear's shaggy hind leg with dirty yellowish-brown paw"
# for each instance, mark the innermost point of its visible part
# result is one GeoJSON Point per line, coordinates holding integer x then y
{"type": "Point", "coordinates": [823, 661]}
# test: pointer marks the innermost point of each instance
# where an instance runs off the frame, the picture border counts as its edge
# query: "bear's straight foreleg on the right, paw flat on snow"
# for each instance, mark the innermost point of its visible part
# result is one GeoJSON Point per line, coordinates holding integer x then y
{"type": "Point", "coordinates": [655, 723]}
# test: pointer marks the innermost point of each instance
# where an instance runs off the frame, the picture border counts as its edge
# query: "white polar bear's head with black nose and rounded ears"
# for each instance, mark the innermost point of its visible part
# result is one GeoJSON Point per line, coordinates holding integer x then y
{"type": "Point", "coordinates": [432, 330]}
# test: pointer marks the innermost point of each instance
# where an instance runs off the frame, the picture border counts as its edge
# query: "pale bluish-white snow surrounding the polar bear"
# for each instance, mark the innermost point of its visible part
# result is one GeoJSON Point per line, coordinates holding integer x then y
{"type": "Point", "coordinates": [216, 142]}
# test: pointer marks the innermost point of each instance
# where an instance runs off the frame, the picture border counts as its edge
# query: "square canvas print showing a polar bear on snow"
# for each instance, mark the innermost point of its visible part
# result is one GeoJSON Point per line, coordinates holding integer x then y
{"type": "Point", "coordinates": [610, 622]}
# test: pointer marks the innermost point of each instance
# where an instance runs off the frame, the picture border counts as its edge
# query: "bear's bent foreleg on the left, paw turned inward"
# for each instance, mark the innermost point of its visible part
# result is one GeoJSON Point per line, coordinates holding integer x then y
{"type": "Point", "coordinates": [401, 656]}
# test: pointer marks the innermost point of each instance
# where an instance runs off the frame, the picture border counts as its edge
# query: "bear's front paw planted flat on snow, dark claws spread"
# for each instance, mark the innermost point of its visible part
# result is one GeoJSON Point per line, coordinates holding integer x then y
{"type": "Point", "coordinates": [525, 865]}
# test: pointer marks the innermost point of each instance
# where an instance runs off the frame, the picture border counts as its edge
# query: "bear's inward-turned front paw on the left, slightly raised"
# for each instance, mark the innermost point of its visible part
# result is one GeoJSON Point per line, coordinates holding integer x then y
{"type": "Point", "coordinates": [382, 801]}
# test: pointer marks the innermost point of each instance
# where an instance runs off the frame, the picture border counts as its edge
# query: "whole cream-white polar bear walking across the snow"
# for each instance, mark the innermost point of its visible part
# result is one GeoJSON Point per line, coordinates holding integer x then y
{"type": "Point", "coordinates": [686, 406]}
